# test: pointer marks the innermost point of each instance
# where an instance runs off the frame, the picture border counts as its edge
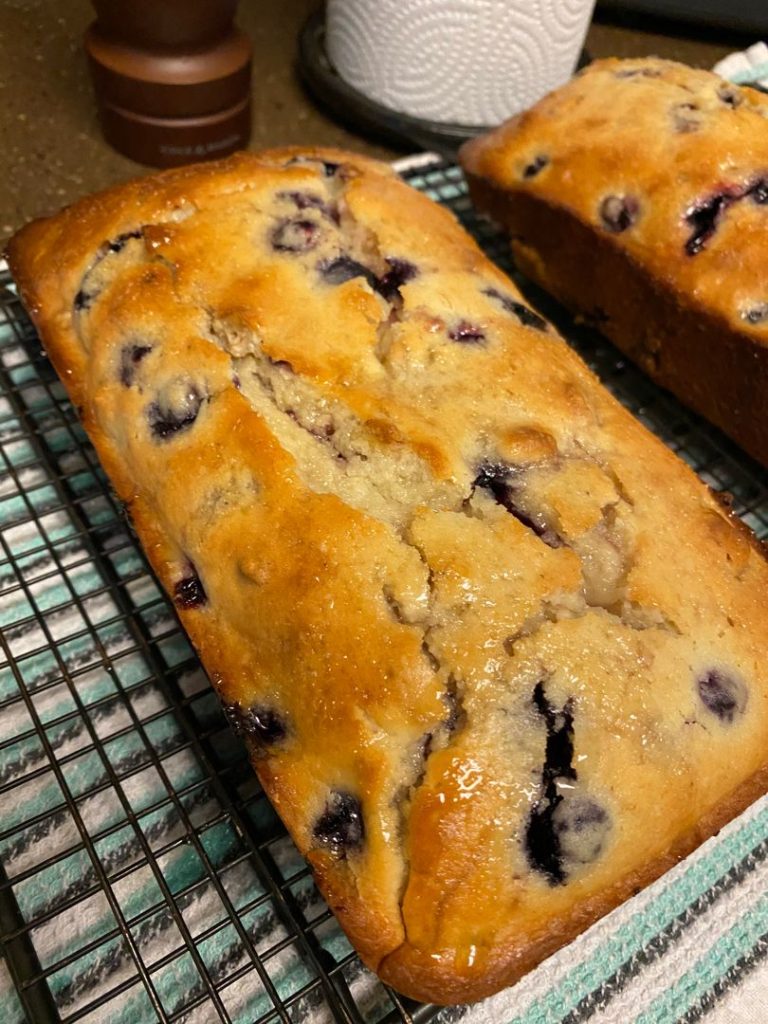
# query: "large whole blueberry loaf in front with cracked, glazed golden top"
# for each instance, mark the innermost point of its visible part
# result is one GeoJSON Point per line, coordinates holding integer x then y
{"type": "Point", "coordinates": [498, 656]}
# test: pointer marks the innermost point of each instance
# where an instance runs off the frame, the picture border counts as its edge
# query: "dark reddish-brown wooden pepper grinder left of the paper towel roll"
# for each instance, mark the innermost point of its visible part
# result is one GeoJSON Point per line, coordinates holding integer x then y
{"type": "Point", "coordinates": [173, 79]}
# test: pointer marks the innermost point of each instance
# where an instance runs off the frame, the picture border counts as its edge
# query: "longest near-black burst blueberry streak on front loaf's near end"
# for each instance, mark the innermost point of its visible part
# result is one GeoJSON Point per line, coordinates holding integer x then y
{"type": "Point", "coordinates": [542, 837]}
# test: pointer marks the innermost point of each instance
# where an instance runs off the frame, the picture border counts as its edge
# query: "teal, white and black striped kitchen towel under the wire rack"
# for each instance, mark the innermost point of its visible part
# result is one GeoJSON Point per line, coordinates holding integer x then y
{"type": "Point", "coordinates": [145, 876]}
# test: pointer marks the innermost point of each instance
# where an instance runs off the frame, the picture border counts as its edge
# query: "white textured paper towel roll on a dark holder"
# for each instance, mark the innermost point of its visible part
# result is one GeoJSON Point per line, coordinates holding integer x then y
{"type": "Point", "coordinates": [467, 62]}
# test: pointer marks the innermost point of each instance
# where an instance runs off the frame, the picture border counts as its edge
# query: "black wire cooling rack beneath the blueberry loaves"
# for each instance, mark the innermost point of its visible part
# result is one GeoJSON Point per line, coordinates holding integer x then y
{"type": "Point", "coordinates": [144, 876]}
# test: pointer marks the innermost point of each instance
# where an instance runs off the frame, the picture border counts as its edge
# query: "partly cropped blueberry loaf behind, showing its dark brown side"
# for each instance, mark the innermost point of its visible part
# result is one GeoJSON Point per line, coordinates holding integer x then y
{"type": "Point", "coordinates": [638, 196]}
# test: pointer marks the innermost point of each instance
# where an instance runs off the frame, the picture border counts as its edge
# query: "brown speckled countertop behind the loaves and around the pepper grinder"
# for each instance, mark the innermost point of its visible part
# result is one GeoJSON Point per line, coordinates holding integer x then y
{"type": "Point", "coordinates": [52, 151]}
